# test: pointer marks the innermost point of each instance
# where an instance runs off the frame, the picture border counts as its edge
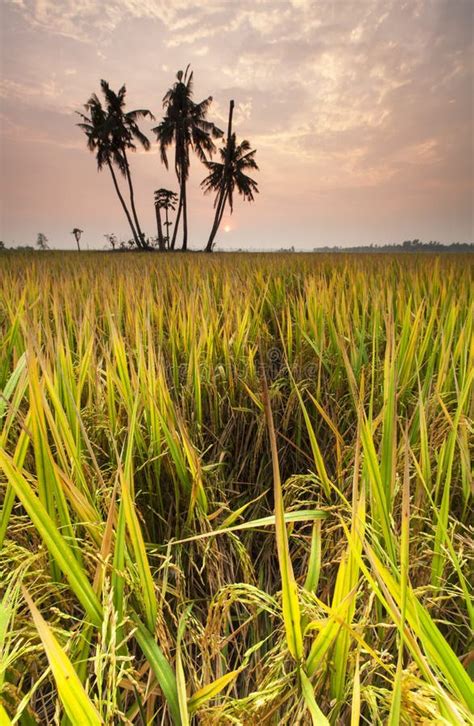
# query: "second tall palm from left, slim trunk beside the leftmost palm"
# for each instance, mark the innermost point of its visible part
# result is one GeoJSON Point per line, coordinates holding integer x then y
{"type": "Point", "coordinates": [125, 132]}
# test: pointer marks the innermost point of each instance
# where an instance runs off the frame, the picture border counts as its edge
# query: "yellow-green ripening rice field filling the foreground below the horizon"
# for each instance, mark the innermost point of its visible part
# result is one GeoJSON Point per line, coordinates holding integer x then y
{"type": "Point", "coordinates": [235, 489]}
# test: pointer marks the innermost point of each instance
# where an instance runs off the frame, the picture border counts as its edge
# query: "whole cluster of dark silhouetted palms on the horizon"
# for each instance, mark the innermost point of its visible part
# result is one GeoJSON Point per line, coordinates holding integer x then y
{"type": "Point", "coordinates": [112, 132]}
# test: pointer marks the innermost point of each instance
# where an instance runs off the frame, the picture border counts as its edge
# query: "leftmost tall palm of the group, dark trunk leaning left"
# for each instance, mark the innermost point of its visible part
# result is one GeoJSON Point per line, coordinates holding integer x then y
{"type": "Point", "coordinates": [97, 128]}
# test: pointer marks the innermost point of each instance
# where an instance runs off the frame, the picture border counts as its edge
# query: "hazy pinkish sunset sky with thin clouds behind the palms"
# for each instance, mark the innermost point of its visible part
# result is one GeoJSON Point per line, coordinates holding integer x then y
{"type": "Point", "coordinates": [361, 112]}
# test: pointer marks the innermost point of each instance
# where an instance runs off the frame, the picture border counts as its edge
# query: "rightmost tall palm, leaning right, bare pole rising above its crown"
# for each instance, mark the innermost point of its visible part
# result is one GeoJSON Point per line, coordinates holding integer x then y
{"type": "Point", "coordinates": [228, 175]}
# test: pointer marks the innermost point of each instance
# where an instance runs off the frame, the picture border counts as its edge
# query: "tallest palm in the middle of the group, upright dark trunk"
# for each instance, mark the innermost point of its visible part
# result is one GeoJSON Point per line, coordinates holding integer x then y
{"type": "Point", "coordinates": [185, 124]}
